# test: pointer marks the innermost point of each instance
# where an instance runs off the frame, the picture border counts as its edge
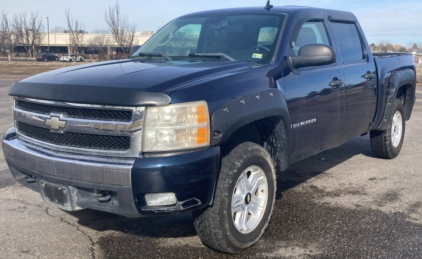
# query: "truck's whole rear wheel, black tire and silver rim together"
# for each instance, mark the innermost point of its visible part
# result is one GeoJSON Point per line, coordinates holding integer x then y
{"type": "Point", "coordinates": [387, 144]}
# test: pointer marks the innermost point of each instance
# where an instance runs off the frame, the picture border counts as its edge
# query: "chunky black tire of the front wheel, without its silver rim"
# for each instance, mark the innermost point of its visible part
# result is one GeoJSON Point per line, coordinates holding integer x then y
{"type": "Point", "coordinates": [214, 224]}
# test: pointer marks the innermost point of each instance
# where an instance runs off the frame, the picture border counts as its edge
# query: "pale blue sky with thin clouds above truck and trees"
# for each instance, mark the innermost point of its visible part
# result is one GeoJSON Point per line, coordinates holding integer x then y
{"type": "Point", "coordinates": [398, 21]}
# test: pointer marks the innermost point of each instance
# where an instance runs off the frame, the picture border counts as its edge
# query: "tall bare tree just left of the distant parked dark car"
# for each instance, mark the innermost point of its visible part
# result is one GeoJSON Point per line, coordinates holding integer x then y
{"type": "Point", "coordinates": [32, 31]}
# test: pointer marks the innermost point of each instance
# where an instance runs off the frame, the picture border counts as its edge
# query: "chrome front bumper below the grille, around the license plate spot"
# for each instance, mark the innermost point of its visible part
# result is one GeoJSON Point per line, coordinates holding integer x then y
{"type": "Point", "coordinates": [87, 176]}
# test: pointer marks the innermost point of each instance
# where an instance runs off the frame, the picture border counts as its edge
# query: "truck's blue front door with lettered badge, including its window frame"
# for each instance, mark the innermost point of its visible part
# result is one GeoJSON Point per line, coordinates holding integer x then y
{"type": "Point", "coordinates": [313, 104]}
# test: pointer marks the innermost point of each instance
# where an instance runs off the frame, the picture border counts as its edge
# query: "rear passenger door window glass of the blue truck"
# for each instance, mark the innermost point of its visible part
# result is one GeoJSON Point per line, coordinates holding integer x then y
{"type": "Point", "coordinates": [348, 41]}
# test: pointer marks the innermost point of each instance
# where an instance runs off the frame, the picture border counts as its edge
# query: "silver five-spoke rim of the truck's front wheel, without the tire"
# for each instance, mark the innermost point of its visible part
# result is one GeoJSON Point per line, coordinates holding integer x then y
{"type": "Point", "coordinates": [249, 199]}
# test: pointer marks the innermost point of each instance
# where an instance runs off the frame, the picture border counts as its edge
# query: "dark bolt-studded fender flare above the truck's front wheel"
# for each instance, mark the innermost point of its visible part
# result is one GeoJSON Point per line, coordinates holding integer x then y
{"type": "Point", "coordinates": [241, 111]}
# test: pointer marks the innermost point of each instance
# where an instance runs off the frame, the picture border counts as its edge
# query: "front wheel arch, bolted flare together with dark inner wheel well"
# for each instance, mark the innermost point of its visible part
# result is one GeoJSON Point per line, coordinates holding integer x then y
{"type": "Point", "coordinates": [261, 118]}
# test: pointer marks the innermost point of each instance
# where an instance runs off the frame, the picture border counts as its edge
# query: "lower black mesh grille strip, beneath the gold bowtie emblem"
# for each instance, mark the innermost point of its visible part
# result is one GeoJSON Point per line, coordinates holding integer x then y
{"type": "Point", "coordinates": [71, 139]}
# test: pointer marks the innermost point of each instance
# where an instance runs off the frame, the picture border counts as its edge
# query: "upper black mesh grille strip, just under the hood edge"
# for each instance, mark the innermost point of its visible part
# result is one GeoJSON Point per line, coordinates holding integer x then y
{"type": "Point", "coordinates": [92, 114]}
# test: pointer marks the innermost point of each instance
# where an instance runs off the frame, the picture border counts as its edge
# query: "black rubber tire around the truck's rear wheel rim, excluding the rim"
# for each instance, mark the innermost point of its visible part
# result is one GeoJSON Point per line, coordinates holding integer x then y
{"type": "Point", "coordinates": [381, 141]}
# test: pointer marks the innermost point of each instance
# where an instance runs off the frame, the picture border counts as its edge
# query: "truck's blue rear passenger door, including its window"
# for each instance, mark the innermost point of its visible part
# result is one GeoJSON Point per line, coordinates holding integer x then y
{"type": "Point", "coordinates": [360, 78]}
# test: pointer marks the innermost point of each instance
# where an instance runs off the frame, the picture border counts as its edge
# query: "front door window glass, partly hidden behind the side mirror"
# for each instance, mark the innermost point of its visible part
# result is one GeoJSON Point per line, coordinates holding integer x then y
{"type": "Point", "coordinates": [311, 33]}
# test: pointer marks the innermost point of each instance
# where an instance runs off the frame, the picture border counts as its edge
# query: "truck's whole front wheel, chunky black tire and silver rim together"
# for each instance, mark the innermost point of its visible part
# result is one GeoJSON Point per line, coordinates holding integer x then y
{"type": "Point", "coordinates": [244, 199]}
